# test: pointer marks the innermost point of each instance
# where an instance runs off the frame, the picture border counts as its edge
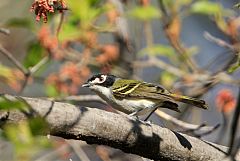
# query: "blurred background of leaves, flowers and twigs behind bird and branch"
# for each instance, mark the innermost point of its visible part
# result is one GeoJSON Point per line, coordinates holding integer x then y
{"type": "Point", "coordinates": [48, 48]}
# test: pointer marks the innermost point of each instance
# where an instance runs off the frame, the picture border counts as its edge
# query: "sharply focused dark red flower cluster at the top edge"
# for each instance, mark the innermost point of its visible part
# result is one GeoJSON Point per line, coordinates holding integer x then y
{"type": "Point", "coordinates": [42, 7]}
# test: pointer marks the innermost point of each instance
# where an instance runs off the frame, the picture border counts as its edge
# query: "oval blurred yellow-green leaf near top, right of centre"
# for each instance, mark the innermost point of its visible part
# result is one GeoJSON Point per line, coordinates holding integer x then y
{"type": "Point", "coordinates": [145, 13]}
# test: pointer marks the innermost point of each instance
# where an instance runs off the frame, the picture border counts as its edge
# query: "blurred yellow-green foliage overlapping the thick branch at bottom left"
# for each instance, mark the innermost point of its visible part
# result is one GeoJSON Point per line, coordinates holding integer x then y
{"type": "Point", "coordinates": [24, 136]}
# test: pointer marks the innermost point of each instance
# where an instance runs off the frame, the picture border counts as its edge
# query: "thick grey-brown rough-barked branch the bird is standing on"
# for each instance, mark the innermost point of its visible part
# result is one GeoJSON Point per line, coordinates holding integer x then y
{"type": "Point", "coordinates": [100, 127]}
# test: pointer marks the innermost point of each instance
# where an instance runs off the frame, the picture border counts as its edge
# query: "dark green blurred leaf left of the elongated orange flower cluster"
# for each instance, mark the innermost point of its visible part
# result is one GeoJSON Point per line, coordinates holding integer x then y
{"type": "Point", "coordinates": [35, 54]}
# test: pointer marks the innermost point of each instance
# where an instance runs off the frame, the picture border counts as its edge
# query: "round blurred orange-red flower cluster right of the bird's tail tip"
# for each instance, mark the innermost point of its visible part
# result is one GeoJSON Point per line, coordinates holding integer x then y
{"type": "Point", "coordinates": [225, 101]}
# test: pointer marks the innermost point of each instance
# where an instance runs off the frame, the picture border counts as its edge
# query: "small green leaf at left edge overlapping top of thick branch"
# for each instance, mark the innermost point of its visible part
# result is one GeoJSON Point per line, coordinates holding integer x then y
{"type": "Point", "coordinates": [6, 104]}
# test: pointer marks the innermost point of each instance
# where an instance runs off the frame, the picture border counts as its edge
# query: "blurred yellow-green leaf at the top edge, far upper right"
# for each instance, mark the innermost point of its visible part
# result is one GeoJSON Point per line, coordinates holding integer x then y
{"type": "Point", "coordinates": [209, 8]}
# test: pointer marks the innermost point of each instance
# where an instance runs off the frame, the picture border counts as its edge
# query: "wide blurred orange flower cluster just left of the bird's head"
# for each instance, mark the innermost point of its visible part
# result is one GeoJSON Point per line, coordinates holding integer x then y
{"type": "Point", "coordinates": [69, 78]}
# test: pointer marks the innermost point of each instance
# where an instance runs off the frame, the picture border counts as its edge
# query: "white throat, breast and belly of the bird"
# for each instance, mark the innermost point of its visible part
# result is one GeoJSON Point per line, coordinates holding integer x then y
{"type": "Point", "coordinates": [124, 105]}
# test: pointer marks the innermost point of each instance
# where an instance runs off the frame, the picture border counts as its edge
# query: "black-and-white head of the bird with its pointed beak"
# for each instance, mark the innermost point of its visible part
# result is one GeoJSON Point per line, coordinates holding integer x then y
{"type": "Point", "coordinates": [100, 80]}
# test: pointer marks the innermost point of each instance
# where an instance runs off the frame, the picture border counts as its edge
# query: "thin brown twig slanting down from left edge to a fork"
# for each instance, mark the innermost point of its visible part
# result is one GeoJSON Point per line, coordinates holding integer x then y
{"type": "Point", "coordinates": [13, 60]}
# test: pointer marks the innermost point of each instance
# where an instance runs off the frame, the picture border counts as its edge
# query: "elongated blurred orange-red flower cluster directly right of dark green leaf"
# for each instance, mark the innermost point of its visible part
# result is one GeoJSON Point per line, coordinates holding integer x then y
{"type": "Point", "coordinates": [49, 42]}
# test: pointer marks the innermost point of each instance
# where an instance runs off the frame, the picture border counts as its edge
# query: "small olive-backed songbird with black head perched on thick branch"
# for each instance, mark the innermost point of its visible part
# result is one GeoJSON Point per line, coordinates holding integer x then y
{"type": "Point", "coordinates": [136, 97]}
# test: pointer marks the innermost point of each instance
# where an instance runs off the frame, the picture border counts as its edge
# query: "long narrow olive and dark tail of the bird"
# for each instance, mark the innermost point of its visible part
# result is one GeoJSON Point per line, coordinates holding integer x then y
{"type": "Point", "coordinates": [189, 100]}
